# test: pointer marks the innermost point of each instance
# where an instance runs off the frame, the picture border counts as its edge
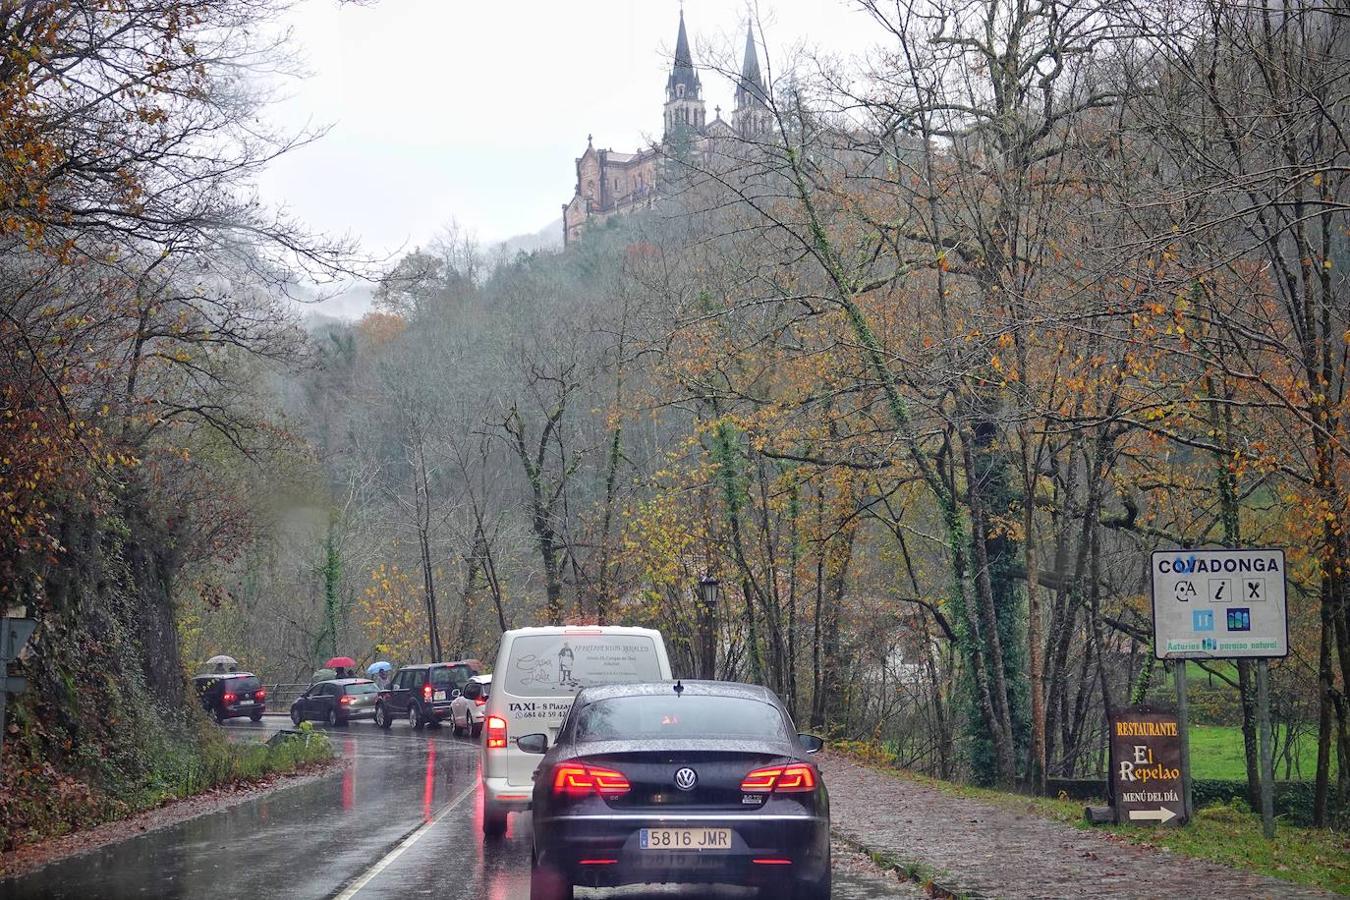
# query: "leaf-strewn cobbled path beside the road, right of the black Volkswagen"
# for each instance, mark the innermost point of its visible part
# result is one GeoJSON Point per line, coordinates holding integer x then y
{"type": "Point", "coordinates": [971, 848]}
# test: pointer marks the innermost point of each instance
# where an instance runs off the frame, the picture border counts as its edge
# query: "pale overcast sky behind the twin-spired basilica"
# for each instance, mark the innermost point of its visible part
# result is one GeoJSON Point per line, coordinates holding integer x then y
{"type": "Point", "coordinates": [476, 111]}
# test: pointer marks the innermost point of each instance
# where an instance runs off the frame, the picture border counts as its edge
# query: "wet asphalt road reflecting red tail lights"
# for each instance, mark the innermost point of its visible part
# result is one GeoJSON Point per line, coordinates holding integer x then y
{"type": "Point", "coordinates": [346, 836]}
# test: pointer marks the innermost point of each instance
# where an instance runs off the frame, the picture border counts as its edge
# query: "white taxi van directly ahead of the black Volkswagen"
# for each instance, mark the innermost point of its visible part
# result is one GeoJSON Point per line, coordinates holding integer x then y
{"type": "Point", "coordinates": [538, 675]}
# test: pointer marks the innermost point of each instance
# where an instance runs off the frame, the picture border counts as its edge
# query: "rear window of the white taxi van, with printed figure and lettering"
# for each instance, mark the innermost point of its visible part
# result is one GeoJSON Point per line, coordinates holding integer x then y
{"type": "Point", "coordinates": [562, 665]}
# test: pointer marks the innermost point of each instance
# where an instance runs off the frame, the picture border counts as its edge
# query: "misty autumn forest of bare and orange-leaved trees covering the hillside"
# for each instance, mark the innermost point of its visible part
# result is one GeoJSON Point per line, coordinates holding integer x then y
{"type": "Point", "coordinates": [921, 376]}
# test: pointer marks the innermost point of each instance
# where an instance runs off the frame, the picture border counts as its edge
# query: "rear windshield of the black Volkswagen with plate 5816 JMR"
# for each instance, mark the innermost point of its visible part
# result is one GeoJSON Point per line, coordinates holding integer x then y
{"type": "Point", "coordinates": [680, 717]}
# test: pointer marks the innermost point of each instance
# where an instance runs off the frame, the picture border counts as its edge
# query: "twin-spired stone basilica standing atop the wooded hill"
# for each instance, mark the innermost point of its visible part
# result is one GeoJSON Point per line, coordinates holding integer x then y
{"type": "Point", "coordinates": [611, 183]}
